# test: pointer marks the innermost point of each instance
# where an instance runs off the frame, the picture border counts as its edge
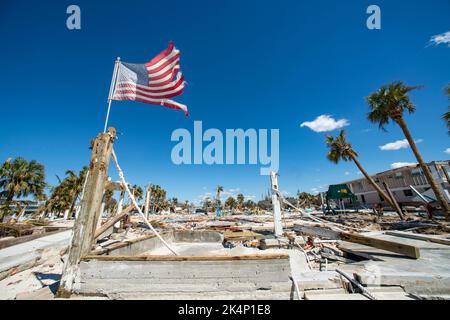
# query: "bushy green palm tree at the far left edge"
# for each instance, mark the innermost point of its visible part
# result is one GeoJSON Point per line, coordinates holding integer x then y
{"type": "Point", "coordinates": [20, 178]}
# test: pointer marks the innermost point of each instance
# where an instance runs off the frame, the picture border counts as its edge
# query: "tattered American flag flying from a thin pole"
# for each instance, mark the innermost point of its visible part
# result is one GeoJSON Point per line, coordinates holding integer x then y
{"type": "Point", "coordinates": [154, 82]}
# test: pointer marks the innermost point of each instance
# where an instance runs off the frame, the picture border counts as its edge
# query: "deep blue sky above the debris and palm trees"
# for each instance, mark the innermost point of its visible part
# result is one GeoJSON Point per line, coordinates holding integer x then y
{"type": "Point", "coordinates": [249, 64]}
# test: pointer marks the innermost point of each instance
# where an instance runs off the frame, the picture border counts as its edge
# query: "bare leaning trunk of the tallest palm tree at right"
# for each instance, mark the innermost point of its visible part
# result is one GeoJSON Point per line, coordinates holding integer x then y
{"type": "Point", "coordinates": [426, 170]}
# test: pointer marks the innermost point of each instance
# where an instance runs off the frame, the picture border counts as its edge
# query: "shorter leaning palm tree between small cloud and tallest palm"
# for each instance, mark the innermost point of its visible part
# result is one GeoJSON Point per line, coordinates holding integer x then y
{"type": "Point", "coordinates": [340, 149]}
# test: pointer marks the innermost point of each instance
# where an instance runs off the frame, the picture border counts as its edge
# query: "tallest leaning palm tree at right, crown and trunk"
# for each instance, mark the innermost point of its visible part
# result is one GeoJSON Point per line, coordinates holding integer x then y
{"type": "Point", "coordinates": [389, 103]}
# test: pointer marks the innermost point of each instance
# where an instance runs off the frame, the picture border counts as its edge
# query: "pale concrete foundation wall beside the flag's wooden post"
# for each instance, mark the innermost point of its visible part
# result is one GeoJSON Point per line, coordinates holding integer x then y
{"type": "Point", "coordinates": [125, 272]}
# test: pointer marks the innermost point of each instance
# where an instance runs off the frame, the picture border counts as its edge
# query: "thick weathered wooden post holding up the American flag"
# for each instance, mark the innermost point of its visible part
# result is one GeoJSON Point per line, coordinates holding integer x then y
{"type": "Point", "coordinates": [86, 223]}
